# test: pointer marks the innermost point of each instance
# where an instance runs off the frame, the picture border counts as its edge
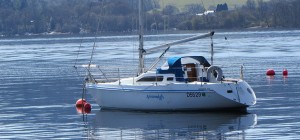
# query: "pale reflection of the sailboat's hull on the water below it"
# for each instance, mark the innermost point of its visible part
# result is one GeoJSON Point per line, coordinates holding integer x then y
{"type": "Point", "coordinates": [158, 125]}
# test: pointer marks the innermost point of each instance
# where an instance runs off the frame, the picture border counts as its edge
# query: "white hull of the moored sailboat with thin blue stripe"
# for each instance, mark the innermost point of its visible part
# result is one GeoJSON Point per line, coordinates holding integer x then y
{"type": "Point", "coordinates": [175, 96]}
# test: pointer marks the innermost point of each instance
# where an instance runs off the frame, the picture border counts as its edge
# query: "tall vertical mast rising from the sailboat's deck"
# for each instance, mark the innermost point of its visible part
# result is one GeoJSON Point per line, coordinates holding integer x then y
{"type": "Point", "coordinates": [141, 39]}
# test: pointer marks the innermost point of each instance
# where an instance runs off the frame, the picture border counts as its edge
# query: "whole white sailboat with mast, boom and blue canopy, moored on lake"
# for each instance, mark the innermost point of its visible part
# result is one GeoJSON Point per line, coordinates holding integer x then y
{"type": "Point", "coordinates": [181, 84]}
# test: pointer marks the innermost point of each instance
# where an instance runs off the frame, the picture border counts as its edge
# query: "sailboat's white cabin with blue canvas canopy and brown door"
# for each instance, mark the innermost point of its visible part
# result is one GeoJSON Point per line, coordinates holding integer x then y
{"type": "Point", "coordinates": [183, 69]}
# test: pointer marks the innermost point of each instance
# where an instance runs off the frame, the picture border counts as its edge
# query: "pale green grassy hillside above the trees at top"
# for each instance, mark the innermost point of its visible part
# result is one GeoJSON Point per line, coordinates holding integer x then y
{"type": "Point", "coordinates": [207, 3]}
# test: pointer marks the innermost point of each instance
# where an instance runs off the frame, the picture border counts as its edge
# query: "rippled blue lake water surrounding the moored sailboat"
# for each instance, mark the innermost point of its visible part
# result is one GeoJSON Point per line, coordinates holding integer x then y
{"type": "Point", "coordinates": [39, 87]}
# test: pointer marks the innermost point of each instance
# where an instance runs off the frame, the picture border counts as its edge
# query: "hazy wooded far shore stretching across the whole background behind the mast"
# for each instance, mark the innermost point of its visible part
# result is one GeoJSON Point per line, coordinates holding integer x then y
{"type": "Point", "coordinates": [89, 16]}
